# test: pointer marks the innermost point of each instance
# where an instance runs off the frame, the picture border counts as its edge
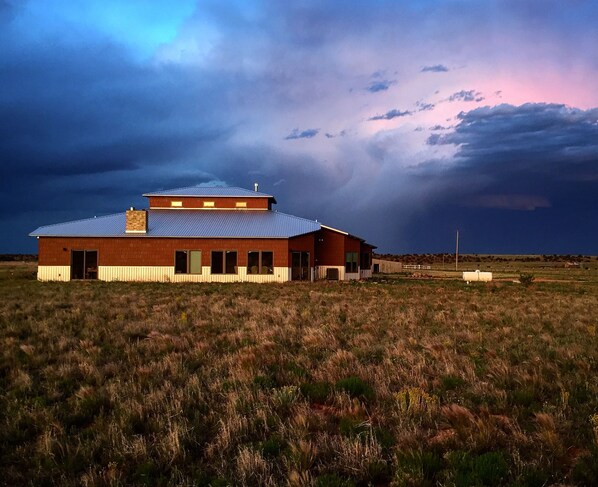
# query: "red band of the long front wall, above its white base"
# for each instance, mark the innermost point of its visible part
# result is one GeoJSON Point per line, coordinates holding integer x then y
{"type": "Point", "coordinates": [143, 251]}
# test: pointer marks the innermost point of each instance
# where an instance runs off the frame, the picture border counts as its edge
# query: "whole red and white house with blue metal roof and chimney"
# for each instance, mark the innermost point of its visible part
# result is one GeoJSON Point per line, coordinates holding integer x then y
{"type": "Point", "coordinates": [201, 234]}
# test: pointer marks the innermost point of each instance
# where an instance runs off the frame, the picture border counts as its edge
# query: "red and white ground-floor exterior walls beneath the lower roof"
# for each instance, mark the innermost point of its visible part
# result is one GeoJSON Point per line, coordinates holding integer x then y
{"type": "Point", "coordinates": [140, 258]}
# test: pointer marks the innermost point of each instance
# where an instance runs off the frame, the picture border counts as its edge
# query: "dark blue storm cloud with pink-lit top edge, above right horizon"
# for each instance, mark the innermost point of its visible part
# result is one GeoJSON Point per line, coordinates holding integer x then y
{"type": "Point", "coordinates": [537, 159]}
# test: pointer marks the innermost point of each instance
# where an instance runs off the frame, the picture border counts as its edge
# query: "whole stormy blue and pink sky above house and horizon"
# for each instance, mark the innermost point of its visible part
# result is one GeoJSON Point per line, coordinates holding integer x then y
{"type": "Point", "coordinates": [400, 122]}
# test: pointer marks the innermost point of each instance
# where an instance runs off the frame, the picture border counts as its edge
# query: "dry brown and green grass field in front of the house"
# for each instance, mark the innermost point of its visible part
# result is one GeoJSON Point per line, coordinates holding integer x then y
{"type": "Point", "coordinates": [396, 381]}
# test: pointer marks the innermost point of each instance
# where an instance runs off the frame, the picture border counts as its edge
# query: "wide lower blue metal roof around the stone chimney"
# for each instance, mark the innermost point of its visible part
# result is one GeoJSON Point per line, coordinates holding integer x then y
{"type": "Point", "coordinates": [189, 223]}
